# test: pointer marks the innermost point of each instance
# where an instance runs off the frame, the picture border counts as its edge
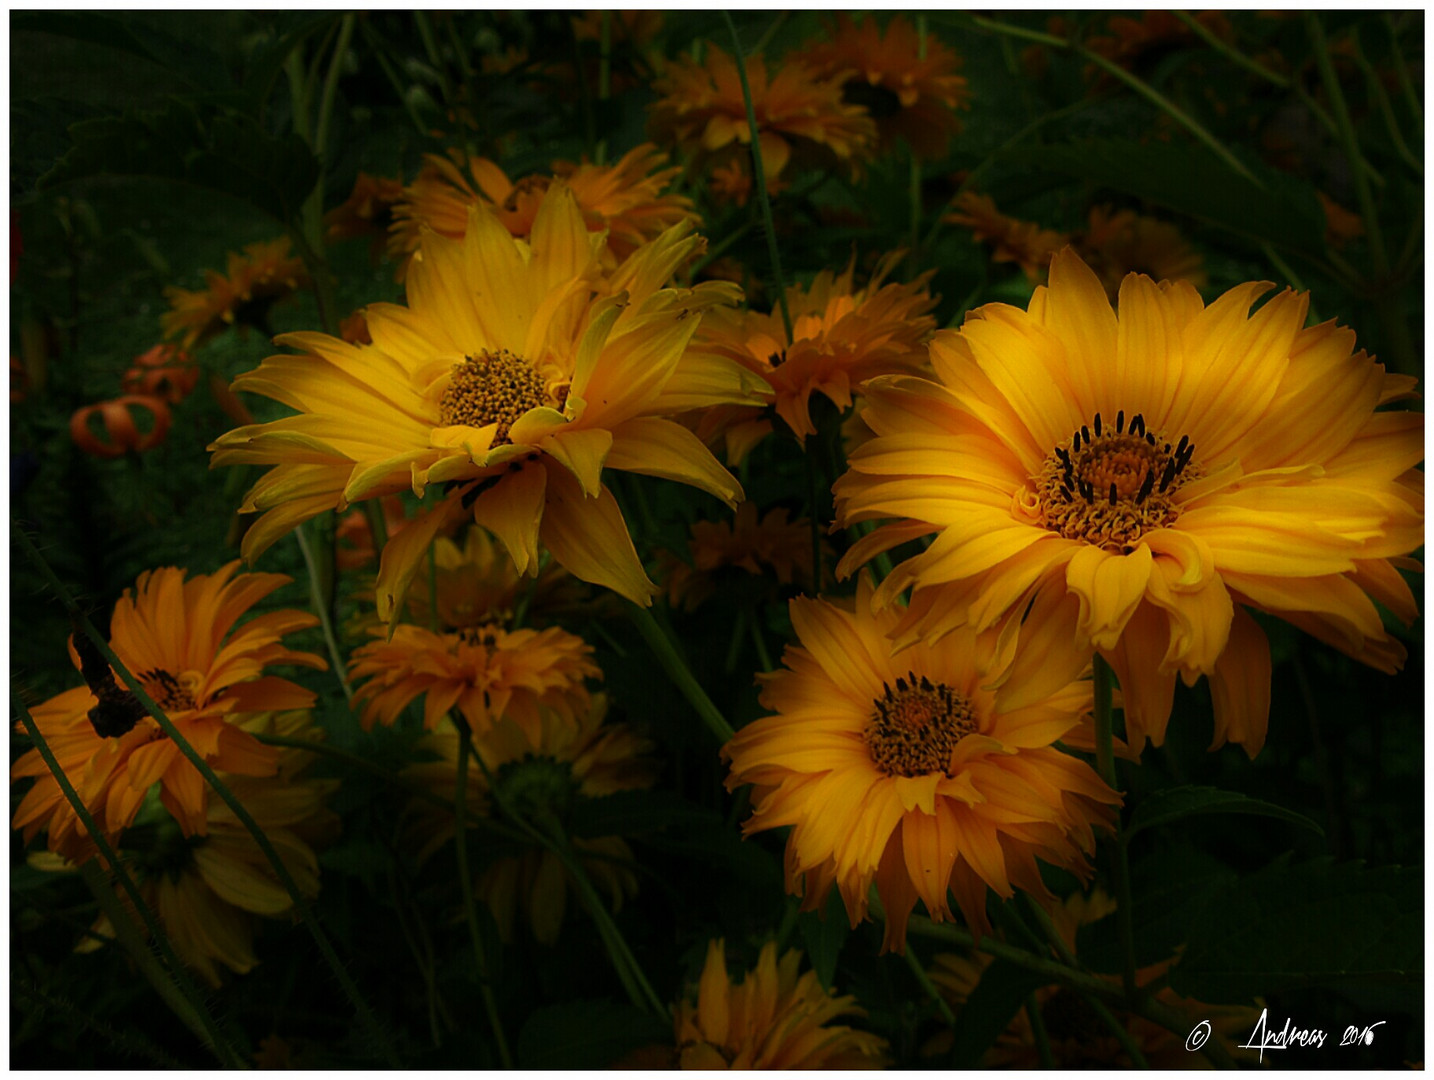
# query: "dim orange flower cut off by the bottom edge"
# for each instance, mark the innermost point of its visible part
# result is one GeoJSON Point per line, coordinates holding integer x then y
{"type": "Point", "coordinates": [772, 1019]}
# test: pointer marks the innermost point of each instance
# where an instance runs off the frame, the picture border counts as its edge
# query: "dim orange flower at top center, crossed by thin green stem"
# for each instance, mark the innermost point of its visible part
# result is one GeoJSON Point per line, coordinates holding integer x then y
{"type": "Point", "coordinates": [702, 108]}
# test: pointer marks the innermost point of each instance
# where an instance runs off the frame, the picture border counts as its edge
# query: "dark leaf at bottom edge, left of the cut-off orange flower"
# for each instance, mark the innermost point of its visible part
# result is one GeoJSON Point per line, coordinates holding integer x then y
{"type": "Point", "coordinates": [587, 1035]}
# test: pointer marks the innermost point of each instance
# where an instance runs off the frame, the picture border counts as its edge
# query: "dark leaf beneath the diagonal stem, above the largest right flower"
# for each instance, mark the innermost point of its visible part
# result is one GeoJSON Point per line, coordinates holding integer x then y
{"type": "Point", "coordinates": [1191, 180]}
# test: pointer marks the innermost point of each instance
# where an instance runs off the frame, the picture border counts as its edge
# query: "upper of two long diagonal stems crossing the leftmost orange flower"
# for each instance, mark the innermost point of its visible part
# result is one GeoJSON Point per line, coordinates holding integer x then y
{"type": "Point", "coordinates": [302, 906]}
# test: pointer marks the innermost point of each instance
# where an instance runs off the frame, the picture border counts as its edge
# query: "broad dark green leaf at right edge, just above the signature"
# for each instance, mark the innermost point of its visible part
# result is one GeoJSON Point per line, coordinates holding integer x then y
{"type": "Point", "coordinates": [1314, 924]}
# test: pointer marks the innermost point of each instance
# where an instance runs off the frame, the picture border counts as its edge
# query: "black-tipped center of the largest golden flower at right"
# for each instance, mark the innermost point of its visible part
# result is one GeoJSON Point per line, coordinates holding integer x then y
{"type": "Point", "coordinates": [1111, 487]}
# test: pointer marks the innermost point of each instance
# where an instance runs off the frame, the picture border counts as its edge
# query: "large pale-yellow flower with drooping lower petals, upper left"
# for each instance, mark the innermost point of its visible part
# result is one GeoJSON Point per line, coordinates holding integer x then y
{"type": "Point", "coordinates": [518, 372]}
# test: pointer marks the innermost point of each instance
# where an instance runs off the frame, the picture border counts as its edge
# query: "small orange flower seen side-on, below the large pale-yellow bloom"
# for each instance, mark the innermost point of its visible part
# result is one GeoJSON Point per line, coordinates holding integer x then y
{"type": "Point", "coordinates": [484, 672]}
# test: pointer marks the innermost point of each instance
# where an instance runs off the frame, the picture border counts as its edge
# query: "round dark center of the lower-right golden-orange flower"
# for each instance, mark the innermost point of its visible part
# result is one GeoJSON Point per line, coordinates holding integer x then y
{"type": "Point", "coordinates": [917, 726]}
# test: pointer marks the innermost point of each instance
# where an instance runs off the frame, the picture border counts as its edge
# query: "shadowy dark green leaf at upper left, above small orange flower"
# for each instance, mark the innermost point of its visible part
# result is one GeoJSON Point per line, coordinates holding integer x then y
{"type": "Point", "coordinates": [226, 154]}
